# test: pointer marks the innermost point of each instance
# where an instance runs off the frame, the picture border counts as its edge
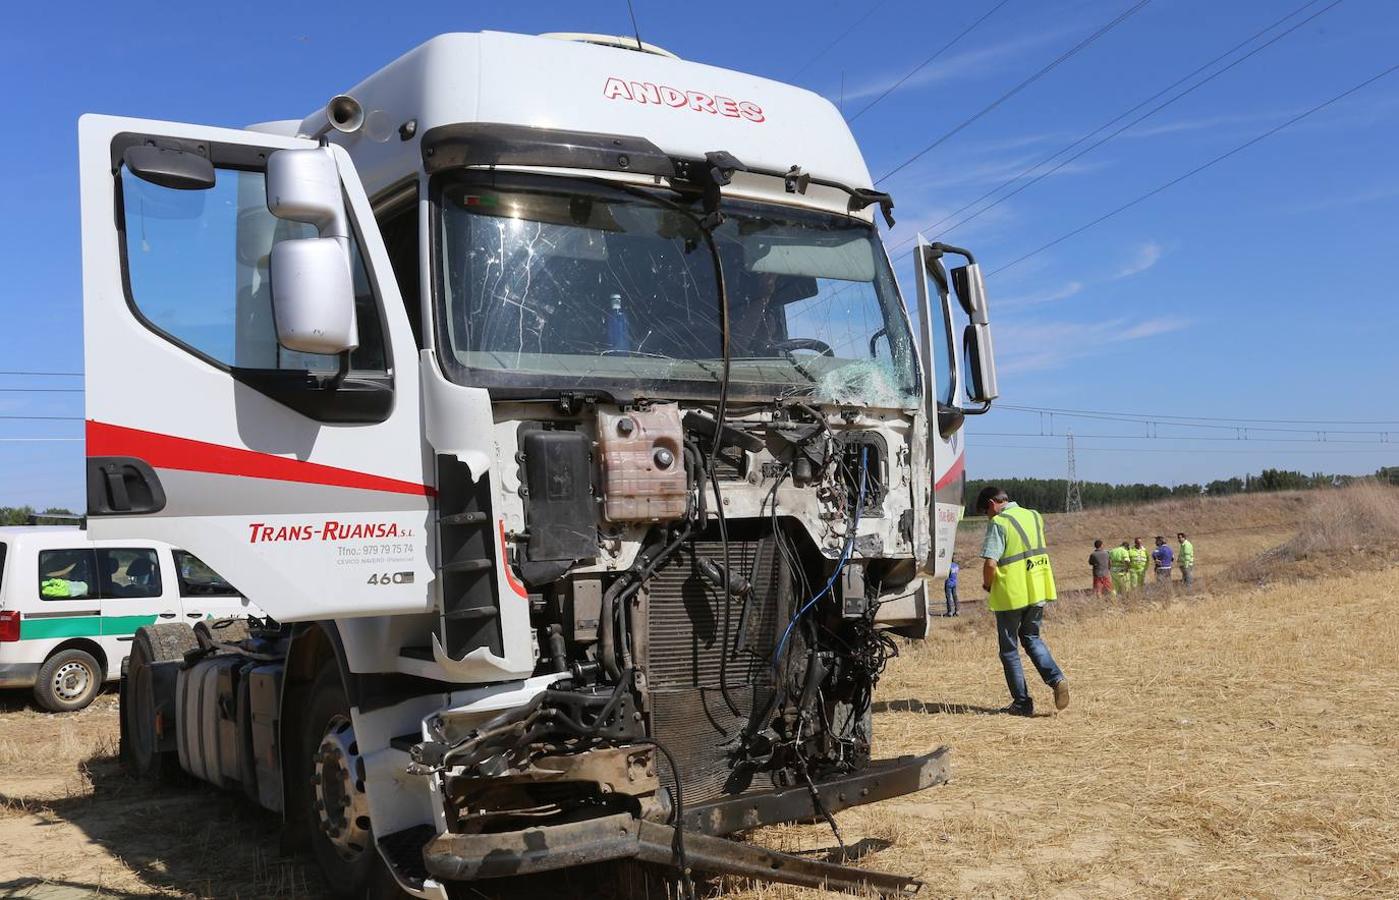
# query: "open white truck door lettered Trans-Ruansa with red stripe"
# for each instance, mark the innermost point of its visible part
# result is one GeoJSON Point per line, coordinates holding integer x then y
{"type": "Point", "coordinates": [278, 443]}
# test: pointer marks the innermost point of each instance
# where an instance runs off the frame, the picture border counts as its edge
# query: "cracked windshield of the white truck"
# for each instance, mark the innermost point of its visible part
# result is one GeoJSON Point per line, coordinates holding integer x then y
{"type": "Point", "coordinates": [578, 286]}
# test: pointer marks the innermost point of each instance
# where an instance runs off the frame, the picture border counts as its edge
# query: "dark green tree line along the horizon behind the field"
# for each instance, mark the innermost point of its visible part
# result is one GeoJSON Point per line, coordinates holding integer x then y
{"type": "Point", "coordinates": [1049, 495]}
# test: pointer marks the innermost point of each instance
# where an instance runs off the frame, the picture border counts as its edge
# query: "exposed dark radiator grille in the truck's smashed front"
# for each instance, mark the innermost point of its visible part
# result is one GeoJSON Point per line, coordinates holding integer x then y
{"type": "Point", "coordinates": [683, 659]}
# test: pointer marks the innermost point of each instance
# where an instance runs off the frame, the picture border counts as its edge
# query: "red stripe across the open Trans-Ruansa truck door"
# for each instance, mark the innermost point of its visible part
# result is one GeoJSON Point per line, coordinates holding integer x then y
{"type": "Point", "coordinates": [164, 451]}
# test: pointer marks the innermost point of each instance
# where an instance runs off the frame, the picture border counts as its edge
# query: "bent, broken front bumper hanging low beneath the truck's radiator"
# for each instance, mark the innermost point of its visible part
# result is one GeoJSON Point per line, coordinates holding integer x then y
{"type": "Point", "coordinates": [465, 857]}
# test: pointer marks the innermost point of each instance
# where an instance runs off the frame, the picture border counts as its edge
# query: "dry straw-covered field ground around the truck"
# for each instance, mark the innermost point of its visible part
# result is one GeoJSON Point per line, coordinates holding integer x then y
{"type": "Point", "coordinates": [1235, 743]}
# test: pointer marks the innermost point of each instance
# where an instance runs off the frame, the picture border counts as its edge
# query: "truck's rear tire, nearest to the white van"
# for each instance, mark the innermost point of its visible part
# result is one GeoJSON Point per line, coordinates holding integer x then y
{"type": "Point", "coordinates": [141, 750]}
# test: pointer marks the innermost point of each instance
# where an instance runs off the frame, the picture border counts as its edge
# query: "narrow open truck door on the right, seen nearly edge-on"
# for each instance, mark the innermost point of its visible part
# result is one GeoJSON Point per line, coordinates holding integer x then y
{"type": "Point", "coordinates": [942, 376]}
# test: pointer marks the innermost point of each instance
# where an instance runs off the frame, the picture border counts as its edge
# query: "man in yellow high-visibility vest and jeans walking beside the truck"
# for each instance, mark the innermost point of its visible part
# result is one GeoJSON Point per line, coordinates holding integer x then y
{"type": "Point", "coordinates": [1018, 576]}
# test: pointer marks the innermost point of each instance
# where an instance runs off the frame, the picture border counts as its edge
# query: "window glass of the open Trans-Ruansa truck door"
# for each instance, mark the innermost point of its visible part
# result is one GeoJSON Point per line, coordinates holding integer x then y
{"type": "Point", "coordinates": [197, 267]}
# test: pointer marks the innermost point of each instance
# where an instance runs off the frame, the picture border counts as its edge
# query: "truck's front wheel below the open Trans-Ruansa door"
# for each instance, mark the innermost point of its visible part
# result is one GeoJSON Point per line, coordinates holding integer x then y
{"type": "Point", "coordinates": [338, 817]}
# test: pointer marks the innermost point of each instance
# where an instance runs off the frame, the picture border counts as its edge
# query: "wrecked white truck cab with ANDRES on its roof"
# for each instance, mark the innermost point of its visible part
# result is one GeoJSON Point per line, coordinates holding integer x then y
{"type": "Point", "coordinates": [570, 426]}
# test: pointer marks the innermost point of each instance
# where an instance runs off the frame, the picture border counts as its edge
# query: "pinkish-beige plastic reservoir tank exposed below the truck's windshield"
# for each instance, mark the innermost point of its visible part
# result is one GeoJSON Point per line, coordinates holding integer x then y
{"type": "Point", "coordinates": [644, 479]}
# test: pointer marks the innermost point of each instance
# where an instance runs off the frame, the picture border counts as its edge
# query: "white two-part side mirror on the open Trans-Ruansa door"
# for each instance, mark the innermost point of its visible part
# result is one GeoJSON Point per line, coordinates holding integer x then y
{"type": "Point", "coordinates": [313, 289]}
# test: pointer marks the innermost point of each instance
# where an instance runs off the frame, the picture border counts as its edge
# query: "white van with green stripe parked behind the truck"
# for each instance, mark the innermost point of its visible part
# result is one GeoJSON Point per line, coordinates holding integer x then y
{"type": "Point", "coordinates": [71, 607]}
